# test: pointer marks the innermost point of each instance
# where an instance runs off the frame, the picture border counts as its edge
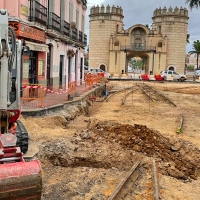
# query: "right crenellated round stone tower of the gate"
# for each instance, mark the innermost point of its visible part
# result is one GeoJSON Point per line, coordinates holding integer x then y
{"type": "Point", "coordinates": [172, 24]}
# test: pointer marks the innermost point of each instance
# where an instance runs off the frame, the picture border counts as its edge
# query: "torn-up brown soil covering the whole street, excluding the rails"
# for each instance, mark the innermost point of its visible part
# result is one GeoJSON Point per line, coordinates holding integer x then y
{"type": "Point", "coordinates": [85, 153]}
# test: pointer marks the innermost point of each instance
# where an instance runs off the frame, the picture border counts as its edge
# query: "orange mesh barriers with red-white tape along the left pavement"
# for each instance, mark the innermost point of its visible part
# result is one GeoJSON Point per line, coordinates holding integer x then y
{"type": "Point", "coordinates": [36, 95]}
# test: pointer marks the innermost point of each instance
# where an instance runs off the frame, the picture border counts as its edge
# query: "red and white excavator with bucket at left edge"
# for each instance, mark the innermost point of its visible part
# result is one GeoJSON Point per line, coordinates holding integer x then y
{"type": "Point", "coordinates": [19, 180]}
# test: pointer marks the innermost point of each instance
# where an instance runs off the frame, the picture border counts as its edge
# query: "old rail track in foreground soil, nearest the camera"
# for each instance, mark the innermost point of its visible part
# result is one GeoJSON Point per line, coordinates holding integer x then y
{"type": "Point", "coordinates": [138, 177]}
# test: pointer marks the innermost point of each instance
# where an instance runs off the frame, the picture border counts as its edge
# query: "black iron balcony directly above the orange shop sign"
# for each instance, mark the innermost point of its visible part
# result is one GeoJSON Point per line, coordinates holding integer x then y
{"type": "Point", "coordinates": [38, 13]}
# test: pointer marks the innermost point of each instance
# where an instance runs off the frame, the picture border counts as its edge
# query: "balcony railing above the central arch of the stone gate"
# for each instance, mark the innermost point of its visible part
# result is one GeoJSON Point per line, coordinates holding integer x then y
{"type": "Point", "coordinates": [137, 47]}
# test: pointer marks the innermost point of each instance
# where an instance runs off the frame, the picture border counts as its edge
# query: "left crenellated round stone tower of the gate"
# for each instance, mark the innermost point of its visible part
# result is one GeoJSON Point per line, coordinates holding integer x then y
{"type": "Point", "coordinates": [105, 22]}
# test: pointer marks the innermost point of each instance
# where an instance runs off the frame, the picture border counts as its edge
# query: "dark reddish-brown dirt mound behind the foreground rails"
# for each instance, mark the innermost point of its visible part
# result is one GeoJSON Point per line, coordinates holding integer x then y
{"type": "Point", "coordinates": [178, 158]}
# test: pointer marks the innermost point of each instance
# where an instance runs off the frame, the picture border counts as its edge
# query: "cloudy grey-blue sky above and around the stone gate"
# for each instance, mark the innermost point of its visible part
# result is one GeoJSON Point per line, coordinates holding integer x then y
{"type": "Point", "coordinates": [141, 12]}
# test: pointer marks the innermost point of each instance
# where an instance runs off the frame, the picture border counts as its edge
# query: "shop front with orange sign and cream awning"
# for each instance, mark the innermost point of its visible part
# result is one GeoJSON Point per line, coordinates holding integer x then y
{"type": "Point", "coordinates": [34, 53]}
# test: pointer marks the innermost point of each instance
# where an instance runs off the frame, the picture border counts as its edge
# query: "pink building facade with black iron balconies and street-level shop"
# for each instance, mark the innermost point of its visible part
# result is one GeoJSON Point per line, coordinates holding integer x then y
{"type": "Point", "coordinates": [53, 37]}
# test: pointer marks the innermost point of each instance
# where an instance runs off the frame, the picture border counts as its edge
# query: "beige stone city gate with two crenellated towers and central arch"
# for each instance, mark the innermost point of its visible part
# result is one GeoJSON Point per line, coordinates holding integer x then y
{"type": "Point", "coordinates": [161, 47]}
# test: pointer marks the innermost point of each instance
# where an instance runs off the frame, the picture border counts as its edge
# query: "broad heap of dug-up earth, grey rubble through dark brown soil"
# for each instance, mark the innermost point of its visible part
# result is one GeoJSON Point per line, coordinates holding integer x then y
{"type": "Point", "coordinates": [109, 145]}
